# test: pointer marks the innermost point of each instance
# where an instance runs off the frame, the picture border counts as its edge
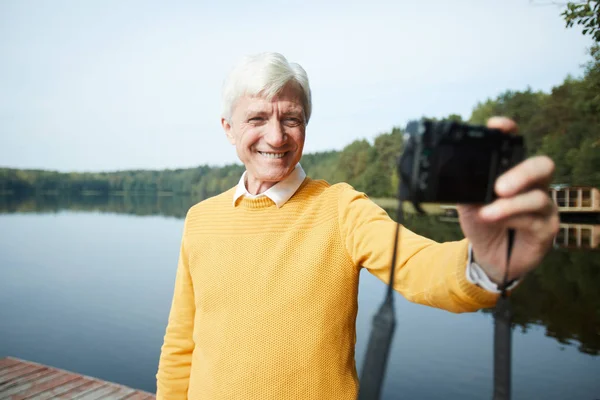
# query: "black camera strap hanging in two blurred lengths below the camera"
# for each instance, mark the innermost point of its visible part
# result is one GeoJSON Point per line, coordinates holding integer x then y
{"type": "Point", "coordinates": [384, 324]}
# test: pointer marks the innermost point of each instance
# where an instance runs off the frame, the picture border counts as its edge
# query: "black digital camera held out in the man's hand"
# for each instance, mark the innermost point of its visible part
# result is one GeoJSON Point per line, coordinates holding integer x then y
{"type": "Point", "coordinates": [452, 162]}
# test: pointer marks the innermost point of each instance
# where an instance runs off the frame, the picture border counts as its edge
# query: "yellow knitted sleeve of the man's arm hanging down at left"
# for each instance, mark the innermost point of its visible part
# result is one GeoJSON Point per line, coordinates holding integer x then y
{"type": "Point", "coordinates": [175, 362]}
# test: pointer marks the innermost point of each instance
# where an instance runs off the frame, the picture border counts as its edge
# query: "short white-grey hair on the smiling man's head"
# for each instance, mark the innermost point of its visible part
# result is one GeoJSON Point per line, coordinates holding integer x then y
{"type": "Point", "coordinates": [264, 75]}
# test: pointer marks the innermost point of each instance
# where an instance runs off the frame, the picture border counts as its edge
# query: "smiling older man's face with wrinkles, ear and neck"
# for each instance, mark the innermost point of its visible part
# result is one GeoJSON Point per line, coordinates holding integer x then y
{"type": "Point", "coordinates": [268, 136]}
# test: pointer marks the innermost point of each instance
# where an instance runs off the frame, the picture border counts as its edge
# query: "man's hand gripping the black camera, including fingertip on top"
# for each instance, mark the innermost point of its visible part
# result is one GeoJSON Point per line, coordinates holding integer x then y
{"type": "Point", "coordinates": [524, 205]}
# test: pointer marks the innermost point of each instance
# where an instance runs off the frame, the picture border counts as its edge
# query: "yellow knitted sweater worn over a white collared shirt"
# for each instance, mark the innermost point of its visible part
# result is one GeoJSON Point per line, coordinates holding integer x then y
{"type": "Point", "coordinates": [265, 299]}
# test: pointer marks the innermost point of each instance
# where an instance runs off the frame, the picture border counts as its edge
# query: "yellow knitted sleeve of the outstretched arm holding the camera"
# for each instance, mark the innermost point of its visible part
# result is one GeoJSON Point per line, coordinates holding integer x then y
{"type": "Point", "coordinates": [427, 272]}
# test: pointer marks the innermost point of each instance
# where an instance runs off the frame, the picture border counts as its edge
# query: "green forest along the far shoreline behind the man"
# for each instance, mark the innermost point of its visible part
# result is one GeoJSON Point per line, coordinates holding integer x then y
{"type": "Point", "coordinates": [563, 124]}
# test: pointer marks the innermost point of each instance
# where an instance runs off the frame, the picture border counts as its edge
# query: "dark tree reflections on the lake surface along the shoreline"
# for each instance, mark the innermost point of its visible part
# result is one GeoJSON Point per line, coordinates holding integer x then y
{"type": "Point", "coordinates": [562, 295]}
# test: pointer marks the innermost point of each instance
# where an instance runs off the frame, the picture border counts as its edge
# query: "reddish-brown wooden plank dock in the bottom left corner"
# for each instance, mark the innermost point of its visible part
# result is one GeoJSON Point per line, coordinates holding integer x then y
{"type": "Point", "coordinates": [21, 380]}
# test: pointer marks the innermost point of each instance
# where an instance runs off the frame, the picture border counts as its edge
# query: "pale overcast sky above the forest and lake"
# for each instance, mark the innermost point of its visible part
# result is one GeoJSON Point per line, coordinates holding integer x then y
{"type": "Point", "coordinates": [102, 85]}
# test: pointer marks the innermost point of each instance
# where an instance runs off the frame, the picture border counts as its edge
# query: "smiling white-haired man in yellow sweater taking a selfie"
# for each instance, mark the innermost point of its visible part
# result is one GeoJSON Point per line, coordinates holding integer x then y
{"type": "Point", "coordinates": [265, 297]}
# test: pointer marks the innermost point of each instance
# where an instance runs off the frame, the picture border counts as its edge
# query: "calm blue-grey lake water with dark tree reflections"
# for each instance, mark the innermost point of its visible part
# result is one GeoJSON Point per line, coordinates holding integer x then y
{"type": "Point", "coordinates": [86, 285]}
